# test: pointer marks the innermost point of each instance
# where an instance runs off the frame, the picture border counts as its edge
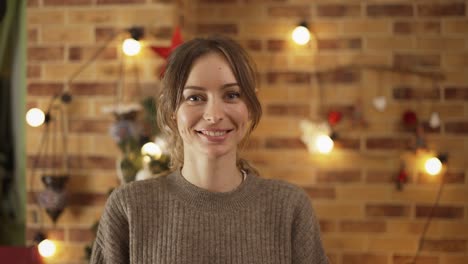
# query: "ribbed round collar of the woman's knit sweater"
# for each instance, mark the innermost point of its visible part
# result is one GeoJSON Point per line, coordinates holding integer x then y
{"type": "Point", "coordinates": [208, 200]}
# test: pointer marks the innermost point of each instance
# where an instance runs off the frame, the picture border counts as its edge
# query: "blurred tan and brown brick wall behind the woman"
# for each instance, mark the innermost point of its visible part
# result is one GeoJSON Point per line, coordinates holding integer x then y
{"type": "Point", "coordinates": [364, 218]}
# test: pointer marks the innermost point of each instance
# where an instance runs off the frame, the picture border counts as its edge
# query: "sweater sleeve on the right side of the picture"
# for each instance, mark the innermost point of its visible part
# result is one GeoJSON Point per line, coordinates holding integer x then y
{"type": "Point", "coordinates": [306, 243]}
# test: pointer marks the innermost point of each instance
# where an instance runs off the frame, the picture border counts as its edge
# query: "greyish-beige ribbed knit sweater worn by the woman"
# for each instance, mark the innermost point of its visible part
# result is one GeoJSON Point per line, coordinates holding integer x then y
{"type": "Point", "coordinates": [169, 220]}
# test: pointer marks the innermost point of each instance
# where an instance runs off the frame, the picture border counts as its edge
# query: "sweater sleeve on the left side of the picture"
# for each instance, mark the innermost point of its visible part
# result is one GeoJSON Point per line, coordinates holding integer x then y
{"type": "Point", "coordinates": [112, 238]}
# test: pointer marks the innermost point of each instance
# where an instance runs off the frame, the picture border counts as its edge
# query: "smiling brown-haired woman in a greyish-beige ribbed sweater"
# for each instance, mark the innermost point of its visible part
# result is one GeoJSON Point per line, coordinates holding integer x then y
{"type": "Point", "coordinates": [213, 207]}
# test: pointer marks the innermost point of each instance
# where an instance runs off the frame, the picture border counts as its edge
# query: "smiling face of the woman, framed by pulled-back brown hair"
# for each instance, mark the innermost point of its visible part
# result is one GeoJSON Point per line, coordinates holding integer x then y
{"type": "Point", "coordinates": [212, 118]}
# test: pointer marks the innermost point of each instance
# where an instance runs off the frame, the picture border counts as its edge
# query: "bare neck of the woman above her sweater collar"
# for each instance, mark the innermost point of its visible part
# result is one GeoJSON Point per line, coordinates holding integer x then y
{"type": "Point", "coordinates": [219, 174]}
